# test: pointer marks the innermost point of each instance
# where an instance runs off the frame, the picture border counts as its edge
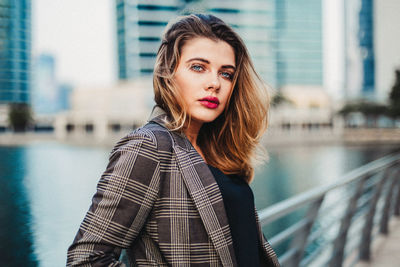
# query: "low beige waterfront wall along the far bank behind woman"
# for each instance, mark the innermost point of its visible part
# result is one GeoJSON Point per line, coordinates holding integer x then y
{"type": "Point", "coordinates": [273, 137]}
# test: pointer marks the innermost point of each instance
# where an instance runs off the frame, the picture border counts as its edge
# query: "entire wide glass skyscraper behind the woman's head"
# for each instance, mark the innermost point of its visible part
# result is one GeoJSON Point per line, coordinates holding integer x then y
{"type": "Point", "coordinates": [284, 37]}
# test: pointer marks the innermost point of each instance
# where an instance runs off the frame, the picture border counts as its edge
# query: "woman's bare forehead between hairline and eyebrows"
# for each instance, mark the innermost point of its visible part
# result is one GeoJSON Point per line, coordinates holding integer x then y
{"type": "Point", "coordinates": [215, 51]}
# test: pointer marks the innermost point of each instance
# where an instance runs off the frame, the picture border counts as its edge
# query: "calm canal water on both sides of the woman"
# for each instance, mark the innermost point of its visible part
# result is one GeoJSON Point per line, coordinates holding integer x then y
{"type": "Point", "coordinates": [46, 189]}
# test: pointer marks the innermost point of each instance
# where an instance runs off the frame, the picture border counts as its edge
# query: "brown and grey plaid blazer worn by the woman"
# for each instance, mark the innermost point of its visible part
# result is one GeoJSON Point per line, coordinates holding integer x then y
{"type": "Point", "coordinates": [158, 200]}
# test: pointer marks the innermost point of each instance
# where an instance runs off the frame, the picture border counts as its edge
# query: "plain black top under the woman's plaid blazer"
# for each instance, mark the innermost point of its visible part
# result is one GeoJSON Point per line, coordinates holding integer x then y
{"type": "Point", "coordinates": [239, 205]}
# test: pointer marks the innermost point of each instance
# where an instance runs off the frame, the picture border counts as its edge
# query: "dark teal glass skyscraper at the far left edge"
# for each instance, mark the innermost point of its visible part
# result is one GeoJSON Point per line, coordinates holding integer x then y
{"type": "Point", "coordinates": [15, 50]}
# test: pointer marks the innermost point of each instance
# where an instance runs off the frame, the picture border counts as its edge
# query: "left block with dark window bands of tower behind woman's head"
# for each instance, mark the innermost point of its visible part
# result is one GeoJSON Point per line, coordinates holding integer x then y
{"type": "Point", "coordinates": [140, 25]}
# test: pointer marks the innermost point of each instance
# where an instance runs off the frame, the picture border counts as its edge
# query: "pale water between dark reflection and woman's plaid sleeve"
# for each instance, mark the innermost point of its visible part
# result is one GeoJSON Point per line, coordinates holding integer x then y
{"type": "Point", "coordinates": [60, 182]}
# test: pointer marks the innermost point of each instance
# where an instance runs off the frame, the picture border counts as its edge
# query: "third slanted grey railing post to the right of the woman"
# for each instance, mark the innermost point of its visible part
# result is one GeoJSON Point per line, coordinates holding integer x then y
{"type": "Point", "coordinates": [365, 244]}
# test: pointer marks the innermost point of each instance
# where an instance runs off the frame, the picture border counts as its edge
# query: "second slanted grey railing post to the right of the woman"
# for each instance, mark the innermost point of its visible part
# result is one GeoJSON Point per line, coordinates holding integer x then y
{"type": "Point", "coordinates": [340, 241]}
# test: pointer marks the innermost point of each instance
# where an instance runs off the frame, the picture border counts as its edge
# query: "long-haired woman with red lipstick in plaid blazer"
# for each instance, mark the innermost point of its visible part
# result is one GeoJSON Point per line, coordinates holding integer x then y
{"type": "Point", "coordinates": [175, 191]}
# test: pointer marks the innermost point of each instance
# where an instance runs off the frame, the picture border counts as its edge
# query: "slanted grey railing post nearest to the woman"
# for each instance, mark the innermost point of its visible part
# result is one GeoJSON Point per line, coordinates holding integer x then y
{"type": "Point", "coordinates": [300, 240]}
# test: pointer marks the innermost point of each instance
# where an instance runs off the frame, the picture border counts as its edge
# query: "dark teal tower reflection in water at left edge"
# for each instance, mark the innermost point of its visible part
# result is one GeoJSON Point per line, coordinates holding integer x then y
{"type": "Point", "coordinates": [16, 241]}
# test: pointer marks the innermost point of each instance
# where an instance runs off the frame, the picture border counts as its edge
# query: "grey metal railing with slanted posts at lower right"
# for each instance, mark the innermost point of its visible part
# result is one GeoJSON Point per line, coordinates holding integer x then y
{"type": "Point", "coordinates": [334, 225]}
